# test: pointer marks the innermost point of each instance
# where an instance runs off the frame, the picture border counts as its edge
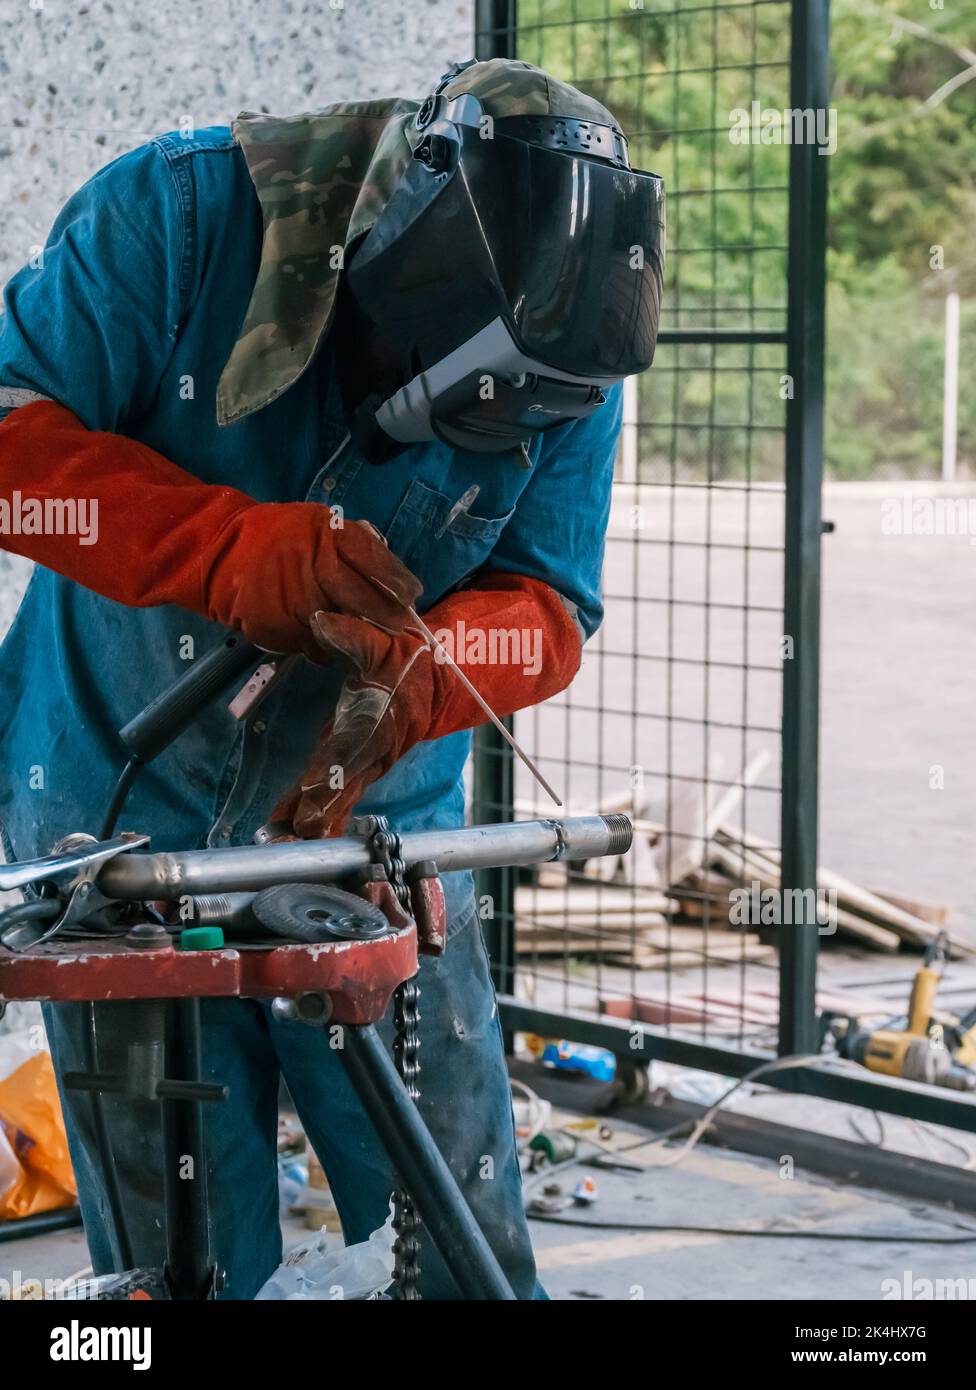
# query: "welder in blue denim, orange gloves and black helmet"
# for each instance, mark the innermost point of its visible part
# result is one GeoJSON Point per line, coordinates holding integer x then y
{"type": "Point", "coordinates": [307, 373]}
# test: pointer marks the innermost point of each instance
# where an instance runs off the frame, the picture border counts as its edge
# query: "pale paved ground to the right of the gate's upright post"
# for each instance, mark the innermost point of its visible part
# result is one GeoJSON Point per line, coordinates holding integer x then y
{"type": "Point", "coordinates": [899, 787]}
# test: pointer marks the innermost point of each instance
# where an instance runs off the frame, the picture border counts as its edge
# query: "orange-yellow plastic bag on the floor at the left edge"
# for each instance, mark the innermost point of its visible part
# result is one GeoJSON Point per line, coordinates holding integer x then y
{"type": "Point", "coordinates": [33, 1125]}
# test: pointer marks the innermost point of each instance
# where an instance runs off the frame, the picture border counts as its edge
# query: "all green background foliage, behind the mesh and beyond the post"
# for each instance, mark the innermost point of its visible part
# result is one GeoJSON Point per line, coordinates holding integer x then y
{"type": "Point", "coordinates": [903, 186]}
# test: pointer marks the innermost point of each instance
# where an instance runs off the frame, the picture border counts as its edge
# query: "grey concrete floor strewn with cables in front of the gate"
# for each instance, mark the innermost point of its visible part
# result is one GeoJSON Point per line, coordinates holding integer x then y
{"type": "Point", "coordinates": [708, 1189]}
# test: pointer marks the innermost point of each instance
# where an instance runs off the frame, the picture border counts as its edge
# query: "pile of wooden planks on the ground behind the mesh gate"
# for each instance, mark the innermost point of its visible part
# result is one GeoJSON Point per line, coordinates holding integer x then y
{"type": "Point", "coordinates": [667, 903]}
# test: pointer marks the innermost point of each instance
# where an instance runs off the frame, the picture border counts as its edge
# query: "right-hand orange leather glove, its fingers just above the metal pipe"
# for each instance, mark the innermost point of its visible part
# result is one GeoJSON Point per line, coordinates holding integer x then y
{"type": "Point", "coordinates": [401, 693]}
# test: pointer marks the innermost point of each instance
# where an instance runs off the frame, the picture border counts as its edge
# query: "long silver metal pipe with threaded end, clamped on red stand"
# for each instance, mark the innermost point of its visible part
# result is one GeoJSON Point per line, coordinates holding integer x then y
{"type": "Point", "coordinates": [240, 868]}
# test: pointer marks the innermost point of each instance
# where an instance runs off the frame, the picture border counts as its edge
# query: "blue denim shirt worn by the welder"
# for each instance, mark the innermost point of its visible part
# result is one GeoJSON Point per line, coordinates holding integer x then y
{"type": "Point", "coordinates": [129, 322]}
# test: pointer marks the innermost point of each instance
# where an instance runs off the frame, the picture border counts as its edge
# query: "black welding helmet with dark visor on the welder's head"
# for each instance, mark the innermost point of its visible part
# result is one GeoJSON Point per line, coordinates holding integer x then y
{"type": "Point", "coordinates": [514, 275]}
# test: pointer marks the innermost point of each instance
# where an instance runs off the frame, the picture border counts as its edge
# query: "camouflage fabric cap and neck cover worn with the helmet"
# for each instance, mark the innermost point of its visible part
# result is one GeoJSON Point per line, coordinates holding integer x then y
{"type": "Point", "coordinates": [323, 179]}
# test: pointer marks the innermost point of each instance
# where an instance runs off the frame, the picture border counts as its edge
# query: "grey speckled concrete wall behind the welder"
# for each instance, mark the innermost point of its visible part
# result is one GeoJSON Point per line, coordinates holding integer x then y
{"type": "Point", "coordinates": [83, 83]}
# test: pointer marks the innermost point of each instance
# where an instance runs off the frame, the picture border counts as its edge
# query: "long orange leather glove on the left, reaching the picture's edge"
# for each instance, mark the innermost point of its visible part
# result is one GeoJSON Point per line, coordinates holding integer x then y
{"type": "Point", "coordinates": [165, 537]}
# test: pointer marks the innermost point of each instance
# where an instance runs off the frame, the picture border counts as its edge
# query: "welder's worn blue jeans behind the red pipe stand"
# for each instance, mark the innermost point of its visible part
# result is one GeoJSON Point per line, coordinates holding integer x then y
{"type": "Point", "coordinates": [465, 1102]}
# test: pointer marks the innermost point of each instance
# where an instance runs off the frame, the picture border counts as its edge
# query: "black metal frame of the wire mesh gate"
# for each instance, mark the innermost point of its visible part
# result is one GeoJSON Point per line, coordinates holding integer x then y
{"type": "Point", "coordinates": [803, 343]}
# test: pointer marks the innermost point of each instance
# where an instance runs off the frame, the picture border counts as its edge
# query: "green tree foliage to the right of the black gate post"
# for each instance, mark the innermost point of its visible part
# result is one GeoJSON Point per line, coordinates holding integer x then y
{"type": "Point", "coordinates": [903, 202]}
